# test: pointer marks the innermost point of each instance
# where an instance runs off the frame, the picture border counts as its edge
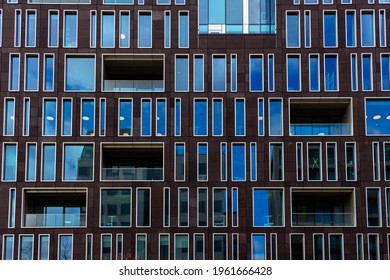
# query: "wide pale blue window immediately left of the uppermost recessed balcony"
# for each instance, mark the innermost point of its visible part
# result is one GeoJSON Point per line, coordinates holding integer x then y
{"type": "Point", "coordinates": [80, 73]}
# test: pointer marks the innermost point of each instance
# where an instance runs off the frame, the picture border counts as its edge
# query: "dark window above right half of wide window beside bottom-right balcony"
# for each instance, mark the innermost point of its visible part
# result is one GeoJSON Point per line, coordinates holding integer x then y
{"type": "Point", "coordinates": [276, 164]}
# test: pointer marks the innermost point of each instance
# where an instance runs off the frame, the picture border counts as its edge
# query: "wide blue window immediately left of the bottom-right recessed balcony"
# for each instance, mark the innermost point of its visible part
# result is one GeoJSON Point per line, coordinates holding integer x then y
{"type": "Point", "coordinates": [268, 208]}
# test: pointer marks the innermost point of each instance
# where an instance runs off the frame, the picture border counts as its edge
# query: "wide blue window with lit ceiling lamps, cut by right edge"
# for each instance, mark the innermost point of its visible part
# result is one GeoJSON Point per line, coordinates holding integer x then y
{"type": "Point", "coordinates": [378, 117]}
